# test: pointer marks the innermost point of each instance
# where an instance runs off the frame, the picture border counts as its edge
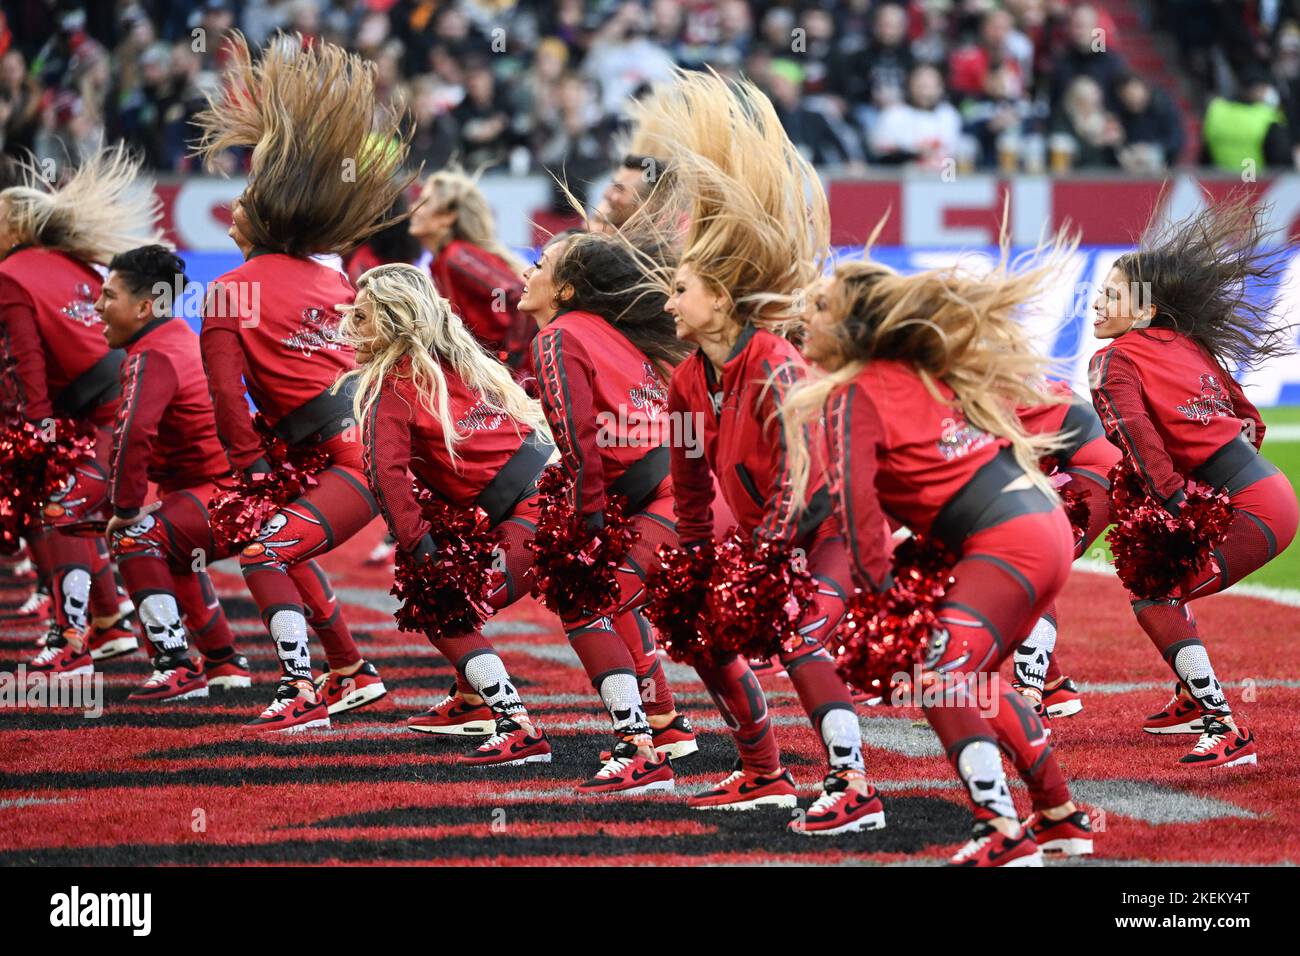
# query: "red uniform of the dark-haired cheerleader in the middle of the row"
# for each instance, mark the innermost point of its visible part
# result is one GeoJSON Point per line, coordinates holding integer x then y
{"type": "Point", "coordinates": [605, 401]}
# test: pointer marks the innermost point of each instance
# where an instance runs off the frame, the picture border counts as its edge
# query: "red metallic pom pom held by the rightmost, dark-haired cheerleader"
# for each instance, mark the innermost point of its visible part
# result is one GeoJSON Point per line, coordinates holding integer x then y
{"type": "Point", "coordinates": [1156, 552]}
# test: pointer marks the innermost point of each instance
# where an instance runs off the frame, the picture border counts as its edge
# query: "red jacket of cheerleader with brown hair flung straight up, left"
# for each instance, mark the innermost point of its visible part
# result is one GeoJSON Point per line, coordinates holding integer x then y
{"type": "Point", "coordinates": [271, 334]}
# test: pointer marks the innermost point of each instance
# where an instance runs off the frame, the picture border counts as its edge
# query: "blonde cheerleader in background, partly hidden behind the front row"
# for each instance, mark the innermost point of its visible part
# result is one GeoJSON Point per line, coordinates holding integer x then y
{"type": "Point", "coordinates": [470, 266]}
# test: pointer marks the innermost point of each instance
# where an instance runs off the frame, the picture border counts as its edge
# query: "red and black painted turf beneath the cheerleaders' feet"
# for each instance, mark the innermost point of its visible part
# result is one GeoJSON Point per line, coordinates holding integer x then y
{"type": "Point", "coordinates": [180, 785]}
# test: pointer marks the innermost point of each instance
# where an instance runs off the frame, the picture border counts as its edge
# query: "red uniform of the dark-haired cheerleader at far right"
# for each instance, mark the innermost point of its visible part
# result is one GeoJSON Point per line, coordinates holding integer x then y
{"type": "Point", "coordinates": [1177, 416]}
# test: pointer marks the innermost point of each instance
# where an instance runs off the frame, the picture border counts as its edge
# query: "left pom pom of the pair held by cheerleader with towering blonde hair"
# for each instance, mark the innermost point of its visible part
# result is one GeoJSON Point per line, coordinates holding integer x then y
{"type": "Point", "coordinates": [678, 592]}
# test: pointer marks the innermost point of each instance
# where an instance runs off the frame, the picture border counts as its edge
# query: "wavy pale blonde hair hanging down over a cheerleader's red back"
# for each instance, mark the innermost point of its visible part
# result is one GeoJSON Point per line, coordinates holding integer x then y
{"type": "Point", "coordinates": [413, 322]}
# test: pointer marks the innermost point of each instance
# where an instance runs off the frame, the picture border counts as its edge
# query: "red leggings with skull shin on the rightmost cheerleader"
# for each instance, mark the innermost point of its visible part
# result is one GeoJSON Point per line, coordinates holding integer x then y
{"type": "Point", "coordinates": [1264, 525]}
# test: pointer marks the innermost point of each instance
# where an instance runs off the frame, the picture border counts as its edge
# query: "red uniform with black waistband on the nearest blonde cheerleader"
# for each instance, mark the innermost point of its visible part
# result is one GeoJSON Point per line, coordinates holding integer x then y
{"type": "Point", "coordinates": [896, 449]}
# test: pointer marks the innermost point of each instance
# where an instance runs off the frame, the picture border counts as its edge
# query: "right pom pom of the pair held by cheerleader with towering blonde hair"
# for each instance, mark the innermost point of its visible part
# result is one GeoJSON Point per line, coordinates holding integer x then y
{"type": "Point", "coordinates": [757, 596]}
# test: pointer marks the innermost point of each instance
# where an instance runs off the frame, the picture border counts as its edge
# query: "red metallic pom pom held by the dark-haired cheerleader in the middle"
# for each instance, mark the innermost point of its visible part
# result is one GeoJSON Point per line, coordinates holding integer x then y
{"type": "Point", "coordinates": [575, 568]}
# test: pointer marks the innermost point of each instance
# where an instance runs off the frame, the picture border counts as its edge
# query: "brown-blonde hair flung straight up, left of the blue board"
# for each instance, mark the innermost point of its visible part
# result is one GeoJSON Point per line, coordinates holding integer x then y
{"type": "Point", "coordinates": [327, 157]}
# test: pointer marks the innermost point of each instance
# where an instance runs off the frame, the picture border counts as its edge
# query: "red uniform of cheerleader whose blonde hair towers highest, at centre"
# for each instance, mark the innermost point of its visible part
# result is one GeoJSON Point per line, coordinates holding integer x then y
{"type": "Point", "coordinates": [742, 443]}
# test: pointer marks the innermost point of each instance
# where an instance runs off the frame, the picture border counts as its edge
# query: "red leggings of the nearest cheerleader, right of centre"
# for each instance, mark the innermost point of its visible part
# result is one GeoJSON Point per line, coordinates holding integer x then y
{"type": "Point", "coordinates": [1007, 578]}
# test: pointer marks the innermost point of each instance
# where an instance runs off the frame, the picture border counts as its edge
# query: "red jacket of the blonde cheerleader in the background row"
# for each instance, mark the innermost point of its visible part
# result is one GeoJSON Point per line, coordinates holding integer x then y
{"type": "Point", "coordinates": [484, 291]}
